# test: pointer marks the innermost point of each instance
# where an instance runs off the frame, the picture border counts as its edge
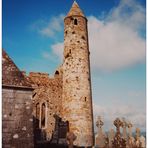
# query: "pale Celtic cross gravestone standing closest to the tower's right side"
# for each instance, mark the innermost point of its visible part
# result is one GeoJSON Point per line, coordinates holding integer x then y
{"type": "Point", "coordinates": [101, 139]}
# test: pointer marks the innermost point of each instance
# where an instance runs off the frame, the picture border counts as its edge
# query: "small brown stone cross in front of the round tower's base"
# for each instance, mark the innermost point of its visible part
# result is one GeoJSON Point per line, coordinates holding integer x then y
{"type": "Point", "coordinates": [71, 137]}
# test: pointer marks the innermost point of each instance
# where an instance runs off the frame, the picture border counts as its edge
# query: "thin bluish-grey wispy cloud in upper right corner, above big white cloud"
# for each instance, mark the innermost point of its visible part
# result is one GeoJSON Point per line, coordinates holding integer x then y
{"type": "Point", "coordinates": [129, 12]}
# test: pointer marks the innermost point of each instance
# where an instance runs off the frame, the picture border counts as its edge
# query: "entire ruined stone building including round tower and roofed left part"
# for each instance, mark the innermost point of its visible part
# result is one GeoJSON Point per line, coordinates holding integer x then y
{"type": "Point", "coordinates": [33, 104]}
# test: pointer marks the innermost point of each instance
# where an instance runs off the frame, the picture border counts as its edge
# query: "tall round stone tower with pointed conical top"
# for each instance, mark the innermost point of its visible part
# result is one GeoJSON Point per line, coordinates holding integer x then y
{"type": "Point", "coordinates": [77, 98]}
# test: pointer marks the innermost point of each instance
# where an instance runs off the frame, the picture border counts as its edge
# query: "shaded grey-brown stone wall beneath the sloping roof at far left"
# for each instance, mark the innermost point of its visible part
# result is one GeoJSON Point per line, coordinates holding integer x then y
{"type": "Point", "coordinates": [17, 120]}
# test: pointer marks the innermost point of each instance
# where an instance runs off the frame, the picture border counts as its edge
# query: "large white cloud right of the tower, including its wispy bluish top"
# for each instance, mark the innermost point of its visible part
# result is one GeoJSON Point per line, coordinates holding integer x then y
{"type": "Point", "coordinates": [116, 43]}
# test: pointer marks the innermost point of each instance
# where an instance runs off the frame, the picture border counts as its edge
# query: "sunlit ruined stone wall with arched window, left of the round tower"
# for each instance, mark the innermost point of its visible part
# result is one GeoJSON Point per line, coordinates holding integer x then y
{"type": "Point", "coordinates": [49, 91]}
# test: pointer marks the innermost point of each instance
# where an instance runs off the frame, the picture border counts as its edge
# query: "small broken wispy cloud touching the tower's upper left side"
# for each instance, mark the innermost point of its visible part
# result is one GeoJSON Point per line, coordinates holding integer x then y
{"type": "Point", "coordinates": [51, 29]}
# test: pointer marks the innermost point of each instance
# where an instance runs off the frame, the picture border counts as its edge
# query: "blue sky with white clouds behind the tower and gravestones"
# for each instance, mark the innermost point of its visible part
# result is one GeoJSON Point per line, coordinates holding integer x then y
{"type": "Point", "coordinates": [32, 35]}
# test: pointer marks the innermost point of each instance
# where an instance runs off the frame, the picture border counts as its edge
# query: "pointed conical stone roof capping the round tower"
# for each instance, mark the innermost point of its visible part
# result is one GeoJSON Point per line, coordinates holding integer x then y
{"type": "Point", "coordinates": [75, 10]}
